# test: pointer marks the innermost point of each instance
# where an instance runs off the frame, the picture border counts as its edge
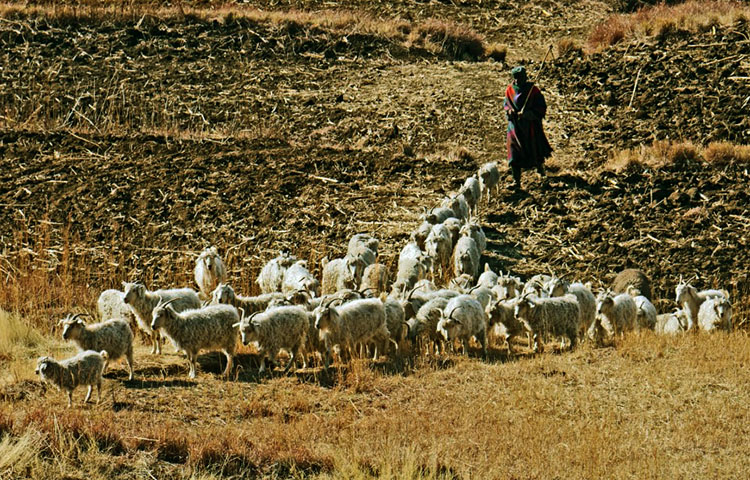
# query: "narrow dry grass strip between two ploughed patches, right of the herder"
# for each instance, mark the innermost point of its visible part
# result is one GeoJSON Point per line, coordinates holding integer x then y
{"type": "Point", "coordinates": [666, 155]}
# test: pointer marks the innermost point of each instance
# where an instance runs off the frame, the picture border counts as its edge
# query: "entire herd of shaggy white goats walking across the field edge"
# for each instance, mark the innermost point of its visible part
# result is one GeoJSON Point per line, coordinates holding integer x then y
{"type": "Point", "coordinates": [357, 308]}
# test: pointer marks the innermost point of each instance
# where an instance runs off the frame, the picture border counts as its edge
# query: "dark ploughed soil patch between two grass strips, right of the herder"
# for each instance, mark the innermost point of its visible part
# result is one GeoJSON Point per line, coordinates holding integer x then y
{"type": "Point", "coordinates": [690, 87]}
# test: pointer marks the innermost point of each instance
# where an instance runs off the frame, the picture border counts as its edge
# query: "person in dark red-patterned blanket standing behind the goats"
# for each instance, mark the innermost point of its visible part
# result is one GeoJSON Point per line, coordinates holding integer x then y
{"type": "Point", "coordinates": [525, 108]}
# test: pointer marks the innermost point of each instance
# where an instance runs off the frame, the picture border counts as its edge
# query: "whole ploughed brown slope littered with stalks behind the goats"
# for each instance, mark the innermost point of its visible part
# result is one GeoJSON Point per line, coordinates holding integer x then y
{"type": "Point", "coordinates": [126, 148]}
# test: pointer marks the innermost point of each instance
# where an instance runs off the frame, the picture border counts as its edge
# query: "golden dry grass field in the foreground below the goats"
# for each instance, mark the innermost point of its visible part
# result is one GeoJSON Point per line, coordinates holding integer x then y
{"type": "Point", "coordinates": [651, 407]}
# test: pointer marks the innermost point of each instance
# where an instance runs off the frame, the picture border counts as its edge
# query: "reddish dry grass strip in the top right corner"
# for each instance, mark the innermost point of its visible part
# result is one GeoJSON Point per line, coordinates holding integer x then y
{"type": "Point", "coordinates": [692, 16]}
